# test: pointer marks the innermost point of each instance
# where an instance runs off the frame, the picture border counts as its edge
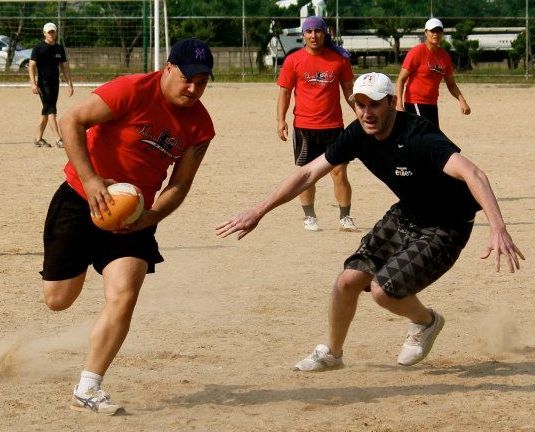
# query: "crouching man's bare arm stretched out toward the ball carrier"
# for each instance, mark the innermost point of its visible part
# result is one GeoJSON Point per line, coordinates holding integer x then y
{"type": "Point", "coordinates": [293, 185]}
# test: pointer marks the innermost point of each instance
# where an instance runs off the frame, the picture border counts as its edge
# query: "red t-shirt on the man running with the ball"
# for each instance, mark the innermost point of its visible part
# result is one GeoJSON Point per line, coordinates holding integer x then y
{"type": "Point", "coordinates": [145, 137]}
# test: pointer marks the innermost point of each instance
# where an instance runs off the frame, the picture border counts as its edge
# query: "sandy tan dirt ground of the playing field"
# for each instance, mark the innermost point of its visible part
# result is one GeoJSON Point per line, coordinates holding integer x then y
{"type": "Point", "coordinates": [219, 326]}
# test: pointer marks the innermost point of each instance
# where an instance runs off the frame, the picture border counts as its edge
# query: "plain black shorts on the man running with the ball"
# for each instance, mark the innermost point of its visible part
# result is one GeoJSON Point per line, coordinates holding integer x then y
{"type": "Point", "coordinates": [72, 242]}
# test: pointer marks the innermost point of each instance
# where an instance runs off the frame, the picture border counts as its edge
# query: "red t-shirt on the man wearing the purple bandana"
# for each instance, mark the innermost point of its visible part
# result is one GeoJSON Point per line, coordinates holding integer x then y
{"type": "Point", "coordinates": [316, 82]}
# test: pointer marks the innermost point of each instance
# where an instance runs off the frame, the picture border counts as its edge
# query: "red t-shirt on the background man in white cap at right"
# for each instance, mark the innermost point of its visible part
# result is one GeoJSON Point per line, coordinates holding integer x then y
{"type": "Point", "coordinates": [426, 69]}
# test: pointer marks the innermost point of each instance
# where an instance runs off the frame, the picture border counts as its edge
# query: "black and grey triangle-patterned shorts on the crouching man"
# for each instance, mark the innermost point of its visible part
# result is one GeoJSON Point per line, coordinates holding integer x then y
{"type": "Point", "coordinates": [403, 257]}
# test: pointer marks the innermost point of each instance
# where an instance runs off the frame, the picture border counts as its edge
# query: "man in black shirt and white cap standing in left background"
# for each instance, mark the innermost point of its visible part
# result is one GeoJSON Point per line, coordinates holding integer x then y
{"type": "Point", "coordinates": [47, 59]}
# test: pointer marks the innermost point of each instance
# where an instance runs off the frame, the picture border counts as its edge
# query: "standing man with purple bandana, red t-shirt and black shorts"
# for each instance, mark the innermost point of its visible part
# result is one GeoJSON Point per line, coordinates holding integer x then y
{"type": "Point", "coordinates": [315, 74]}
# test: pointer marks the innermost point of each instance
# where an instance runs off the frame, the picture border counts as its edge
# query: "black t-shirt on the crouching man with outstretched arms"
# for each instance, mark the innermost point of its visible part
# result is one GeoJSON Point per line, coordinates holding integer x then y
{"type": "Point", "coordinates": [411, 162]}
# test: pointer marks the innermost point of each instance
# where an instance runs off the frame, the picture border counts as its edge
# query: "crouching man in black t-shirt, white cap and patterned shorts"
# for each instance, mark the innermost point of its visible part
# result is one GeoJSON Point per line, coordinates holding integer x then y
{"type": "Point", "coordinates": [418, 239]}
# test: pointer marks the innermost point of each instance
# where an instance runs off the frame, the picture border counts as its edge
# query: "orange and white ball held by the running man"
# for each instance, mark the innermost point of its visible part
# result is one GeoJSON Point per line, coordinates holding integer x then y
{"type": "Point", "coordinates": [128, 207]}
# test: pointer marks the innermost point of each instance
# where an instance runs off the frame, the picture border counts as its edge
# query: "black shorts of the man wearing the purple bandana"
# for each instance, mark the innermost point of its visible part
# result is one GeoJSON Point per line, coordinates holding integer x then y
{"type": "Point", "coordinates": [311, 143]}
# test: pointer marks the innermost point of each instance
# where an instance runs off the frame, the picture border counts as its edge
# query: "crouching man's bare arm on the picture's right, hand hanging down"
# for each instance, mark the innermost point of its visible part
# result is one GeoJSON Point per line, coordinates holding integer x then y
{"type": "Point", "coordinates": [500, 241]}
